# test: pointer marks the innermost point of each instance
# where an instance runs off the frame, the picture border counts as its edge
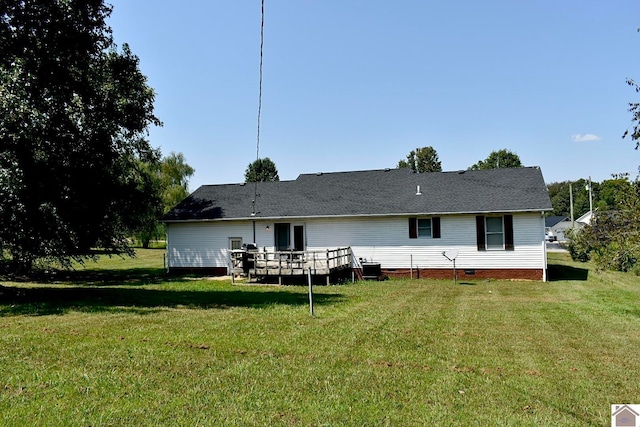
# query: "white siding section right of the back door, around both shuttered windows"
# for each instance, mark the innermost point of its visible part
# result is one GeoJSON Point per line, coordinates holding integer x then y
{"type": "Point", "coordinates": [386, 241]}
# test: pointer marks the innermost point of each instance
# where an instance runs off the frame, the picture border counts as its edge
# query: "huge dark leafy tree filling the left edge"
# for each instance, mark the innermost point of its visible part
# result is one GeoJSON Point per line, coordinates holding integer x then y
{"type": "Point", "coordinates": [74, 114]}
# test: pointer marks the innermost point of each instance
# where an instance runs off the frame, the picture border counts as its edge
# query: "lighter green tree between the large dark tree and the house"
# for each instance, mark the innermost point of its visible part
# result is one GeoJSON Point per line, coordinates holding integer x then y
{"type": "Point", "coordinates": [170, 179]}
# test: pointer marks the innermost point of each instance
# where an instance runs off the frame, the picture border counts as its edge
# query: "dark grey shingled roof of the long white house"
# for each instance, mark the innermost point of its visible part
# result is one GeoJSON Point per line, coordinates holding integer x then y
{"type": "Point", "coordinates": [372, 192]}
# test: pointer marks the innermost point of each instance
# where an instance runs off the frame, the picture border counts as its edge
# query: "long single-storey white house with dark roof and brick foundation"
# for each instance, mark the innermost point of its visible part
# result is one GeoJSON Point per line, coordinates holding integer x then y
{"type": "Point", "coordinates": [493, 220]}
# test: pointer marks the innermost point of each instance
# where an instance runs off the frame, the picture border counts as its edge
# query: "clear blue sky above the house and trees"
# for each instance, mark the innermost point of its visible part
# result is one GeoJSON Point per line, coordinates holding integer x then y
{"type": "Point", "coordinates": [354, 84]}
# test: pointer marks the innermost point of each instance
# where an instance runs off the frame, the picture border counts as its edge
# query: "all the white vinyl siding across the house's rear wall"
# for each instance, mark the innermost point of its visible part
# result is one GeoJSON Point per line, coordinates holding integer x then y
{"type": "Point", "coordinates": [383, 240]}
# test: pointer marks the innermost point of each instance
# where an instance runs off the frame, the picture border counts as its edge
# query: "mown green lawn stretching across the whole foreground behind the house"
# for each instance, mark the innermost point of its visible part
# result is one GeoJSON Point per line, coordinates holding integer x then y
{"type": "Point", "coordinates": [119, 343]}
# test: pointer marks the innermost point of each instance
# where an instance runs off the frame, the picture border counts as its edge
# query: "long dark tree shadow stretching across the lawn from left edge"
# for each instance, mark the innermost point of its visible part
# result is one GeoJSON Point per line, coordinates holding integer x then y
{"type": "Point", "coordinates": [58, 300]}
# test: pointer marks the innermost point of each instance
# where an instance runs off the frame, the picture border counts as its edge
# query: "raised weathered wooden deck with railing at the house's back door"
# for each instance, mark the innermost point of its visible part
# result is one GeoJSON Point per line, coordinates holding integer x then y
{"type": "Point", "coordinates": [262, 265]}
